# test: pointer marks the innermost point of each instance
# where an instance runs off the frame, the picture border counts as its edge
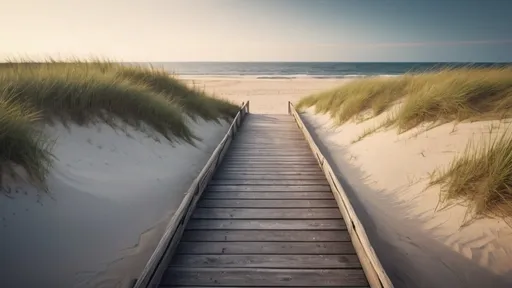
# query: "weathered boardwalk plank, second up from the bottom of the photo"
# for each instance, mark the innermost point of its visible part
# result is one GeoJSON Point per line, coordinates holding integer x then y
{"type": "Point", "coordinates": [267, 261]}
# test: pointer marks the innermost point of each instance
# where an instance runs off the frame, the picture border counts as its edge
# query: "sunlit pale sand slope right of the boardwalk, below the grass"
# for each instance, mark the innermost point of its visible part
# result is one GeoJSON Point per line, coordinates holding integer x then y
{"type": "Point", "coordinates": [386, 176]}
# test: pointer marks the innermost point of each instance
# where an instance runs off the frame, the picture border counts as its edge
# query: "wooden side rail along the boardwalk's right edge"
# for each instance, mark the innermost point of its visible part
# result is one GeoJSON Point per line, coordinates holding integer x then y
{"type": "Point", "coordinates": [377, 277]}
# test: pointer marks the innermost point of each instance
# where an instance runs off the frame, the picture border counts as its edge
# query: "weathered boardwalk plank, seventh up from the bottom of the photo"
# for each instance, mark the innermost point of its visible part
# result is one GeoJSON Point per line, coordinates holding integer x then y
{"type": "Point", "coordinates": [225, 203]}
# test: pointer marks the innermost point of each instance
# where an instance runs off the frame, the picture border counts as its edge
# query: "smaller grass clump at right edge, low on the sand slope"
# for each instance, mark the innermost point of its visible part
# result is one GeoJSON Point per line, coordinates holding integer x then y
{"type": "Point", "coordinates": [481, 176]}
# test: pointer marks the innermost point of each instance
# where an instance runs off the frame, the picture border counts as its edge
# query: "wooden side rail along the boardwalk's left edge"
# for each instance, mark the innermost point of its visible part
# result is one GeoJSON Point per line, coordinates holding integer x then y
{"type": "Point", "coordinates": [162, 255]}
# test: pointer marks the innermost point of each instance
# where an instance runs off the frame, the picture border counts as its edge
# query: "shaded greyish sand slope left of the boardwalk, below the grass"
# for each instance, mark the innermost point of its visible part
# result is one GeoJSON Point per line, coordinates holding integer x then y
{"type": "Point", "coordinates": [111, 198]}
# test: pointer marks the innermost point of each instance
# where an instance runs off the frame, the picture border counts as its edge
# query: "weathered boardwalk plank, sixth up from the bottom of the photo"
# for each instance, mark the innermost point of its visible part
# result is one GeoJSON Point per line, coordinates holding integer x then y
{"type": "Point", "coordinates": [266, 213]}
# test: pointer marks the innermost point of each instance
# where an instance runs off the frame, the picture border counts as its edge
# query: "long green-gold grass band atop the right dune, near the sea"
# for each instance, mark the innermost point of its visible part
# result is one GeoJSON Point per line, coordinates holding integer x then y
{"type": "Point", "coordinates": [443, 96]}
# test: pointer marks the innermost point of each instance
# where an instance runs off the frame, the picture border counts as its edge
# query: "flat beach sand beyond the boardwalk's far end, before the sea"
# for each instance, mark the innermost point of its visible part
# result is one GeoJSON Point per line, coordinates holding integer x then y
{"type": "Point", "coordinates": [268, 96]}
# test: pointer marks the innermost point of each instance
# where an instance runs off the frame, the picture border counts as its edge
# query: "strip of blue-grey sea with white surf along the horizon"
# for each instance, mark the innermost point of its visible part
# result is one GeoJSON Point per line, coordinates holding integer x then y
{"type": "Point", "coordinates": [290, 70]}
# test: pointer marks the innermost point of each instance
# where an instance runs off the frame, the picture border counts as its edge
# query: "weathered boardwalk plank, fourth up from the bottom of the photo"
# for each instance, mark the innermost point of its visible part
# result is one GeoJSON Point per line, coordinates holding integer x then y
{"type": "Point", "coordinates": [266, 235]}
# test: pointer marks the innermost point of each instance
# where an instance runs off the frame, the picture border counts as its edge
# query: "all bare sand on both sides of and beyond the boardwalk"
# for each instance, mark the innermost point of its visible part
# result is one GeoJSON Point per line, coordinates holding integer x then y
{"type": "Point", "coordinates": [113, 189]}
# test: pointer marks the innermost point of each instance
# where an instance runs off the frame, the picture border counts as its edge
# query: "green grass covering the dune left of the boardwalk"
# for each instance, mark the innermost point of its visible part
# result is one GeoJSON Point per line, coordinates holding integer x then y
{"type": "Point", "coordinates": [86, 91]}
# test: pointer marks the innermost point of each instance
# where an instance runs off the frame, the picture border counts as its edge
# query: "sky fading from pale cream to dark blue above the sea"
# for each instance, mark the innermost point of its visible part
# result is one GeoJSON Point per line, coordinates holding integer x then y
{"type": "Point", "coordinates": [259, 30]}
